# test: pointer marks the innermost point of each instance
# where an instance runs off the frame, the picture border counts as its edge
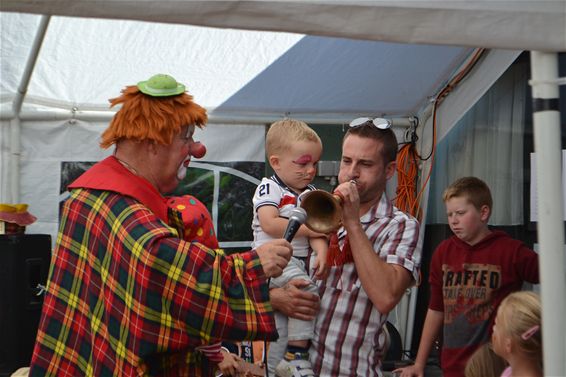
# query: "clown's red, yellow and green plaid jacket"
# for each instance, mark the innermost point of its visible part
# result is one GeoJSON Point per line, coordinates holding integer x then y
{"type": "Point", "coordinates": [125, 296]}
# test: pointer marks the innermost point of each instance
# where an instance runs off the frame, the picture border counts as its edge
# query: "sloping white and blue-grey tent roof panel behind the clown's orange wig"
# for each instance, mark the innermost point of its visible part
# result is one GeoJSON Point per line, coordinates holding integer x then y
{"type": "Point", "coordinates": [84, 62]}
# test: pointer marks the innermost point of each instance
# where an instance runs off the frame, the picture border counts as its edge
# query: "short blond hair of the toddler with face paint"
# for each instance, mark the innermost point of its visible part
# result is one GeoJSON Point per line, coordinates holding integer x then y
{"type": "Point", "coordinates": [283, 133]}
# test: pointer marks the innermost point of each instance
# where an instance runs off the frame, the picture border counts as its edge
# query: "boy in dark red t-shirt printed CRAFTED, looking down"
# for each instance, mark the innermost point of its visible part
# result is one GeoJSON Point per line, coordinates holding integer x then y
{"type": "Point", "coordinates": [470, 274]}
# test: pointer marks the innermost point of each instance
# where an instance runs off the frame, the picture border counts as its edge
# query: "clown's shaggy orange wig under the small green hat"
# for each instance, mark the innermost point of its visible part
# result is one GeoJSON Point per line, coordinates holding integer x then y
{"type": "Point", "coordinates": [158, 119]}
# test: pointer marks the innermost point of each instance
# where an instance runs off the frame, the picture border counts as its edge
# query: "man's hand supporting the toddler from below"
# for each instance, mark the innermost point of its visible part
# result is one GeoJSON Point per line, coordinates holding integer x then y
{"type": "Point", "coordinates": [293, 302]}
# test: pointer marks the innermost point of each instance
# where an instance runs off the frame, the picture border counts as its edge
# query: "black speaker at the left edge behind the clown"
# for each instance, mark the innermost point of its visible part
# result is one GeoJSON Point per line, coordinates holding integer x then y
{"type": "Point", "coordinates": [24, 264]}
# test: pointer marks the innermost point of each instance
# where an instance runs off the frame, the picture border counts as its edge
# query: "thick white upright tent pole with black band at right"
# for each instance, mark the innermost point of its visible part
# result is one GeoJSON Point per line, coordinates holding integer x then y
{"type": "Point", "coordinates": [550, 225]}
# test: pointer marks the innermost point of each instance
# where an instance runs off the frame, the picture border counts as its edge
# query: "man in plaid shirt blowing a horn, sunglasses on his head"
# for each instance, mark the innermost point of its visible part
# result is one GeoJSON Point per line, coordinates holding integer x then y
{"type": "Point", "coordinates": [373, 259]}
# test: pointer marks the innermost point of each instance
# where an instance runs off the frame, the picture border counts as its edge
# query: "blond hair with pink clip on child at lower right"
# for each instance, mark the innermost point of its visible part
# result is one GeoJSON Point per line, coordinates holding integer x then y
{"type": "Point", "coordinates": [520, 315]}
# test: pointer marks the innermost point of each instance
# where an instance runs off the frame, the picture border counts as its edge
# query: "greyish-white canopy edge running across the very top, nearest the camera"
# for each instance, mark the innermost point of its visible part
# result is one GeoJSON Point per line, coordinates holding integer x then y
{"type": "Point", "coordinates": [511, 24]}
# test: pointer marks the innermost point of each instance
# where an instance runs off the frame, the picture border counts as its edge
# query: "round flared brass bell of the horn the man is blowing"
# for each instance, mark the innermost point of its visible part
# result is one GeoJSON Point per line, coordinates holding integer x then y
{"type": "Point", "coordinates": [324, 211]}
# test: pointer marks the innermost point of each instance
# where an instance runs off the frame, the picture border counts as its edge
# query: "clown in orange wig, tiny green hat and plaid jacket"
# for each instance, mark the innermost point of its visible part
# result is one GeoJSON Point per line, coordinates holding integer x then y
{"type": "Point", "coordinates": [129, 293]}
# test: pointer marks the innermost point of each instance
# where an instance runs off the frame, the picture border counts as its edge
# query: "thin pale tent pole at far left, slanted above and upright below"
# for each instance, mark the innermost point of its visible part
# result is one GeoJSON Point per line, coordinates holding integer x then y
{"type": "Point", "coordinates": [15, 122]}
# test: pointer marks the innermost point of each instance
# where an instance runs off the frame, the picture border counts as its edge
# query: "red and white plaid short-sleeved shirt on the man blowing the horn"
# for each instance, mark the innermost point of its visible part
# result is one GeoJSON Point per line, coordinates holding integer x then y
{"type": "Point", "coordinates": [349, 338]}
